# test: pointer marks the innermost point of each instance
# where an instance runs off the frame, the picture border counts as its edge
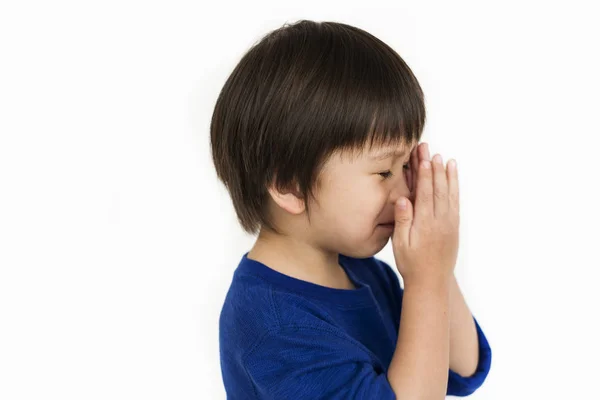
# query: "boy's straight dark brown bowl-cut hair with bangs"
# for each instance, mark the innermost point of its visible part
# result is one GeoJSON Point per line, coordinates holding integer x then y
{"type": "Point", "coordinates": [301, 93]}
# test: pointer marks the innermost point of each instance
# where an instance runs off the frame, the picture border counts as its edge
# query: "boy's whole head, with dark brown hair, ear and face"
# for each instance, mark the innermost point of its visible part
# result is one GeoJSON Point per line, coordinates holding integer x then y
{"type": "Point", "coordinates": [296, 124]}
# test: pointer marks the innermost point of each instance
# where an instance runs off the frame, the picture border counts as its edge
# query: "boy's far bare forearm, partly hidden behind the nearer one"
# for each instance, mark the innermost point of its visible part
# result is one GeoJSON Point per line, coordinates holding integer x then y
{"type": "Point", "coordinates": [464, 345]}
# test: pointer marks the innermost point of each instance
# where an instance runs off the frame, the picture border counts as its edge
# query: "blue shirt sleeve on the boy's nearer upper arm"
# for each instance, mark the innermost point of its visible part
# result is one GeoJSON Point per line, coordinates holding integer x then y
{"type": "Point", "coordinates": [310, 363]}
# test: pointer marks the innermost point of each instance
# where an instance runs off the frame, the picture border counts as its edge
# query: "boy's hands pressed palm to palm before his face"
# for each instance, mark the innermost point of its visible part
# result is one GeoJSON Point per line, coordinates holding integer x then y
{"type": "Point", "coordinates": [425, 240]}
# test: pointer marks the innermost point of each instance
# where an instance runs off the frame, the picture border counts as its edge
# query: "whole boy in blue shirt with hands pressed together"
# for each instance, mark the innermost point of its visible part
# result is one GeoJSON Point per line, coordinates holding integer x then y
{"type": "Point", "coordinates": [315, 137]}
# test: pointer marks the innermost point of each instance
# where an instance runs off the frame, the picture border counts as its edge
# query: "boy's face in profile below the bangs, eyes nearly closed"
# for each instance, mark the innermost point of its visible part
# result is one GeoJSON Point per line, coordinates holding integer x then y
{"type": "Point", "coordinates": [358, 195]}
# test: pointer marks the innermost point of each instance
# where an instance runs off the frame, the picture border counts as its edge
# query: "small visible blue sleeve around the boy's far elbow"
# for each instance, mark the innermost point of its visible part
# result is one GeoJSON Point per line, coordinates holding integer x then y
{"type": "Point", "coordinates": [459, 385]}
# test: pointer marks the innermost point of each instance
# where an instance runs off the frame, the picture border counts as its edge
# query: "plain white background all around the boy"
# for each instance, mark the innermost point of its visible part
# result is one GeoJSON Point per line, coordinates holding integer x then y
{"type": "Point", "coordinates": [118, 244]}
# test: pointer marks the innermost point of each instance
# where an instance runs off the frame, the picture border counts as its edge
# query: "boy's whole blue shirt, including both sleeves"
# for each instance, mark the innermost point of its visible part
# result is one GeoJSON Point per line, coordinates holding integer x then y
{"type": "Point", "coordinates": [285, 338]}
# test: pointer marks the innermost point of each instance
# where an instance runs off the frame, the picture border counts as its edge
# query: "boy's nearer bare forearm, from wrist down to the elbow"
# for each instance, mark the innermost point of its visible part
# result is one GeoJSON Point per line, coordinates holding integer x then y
{"type": "Point", "coordinates": [419, 367]}
